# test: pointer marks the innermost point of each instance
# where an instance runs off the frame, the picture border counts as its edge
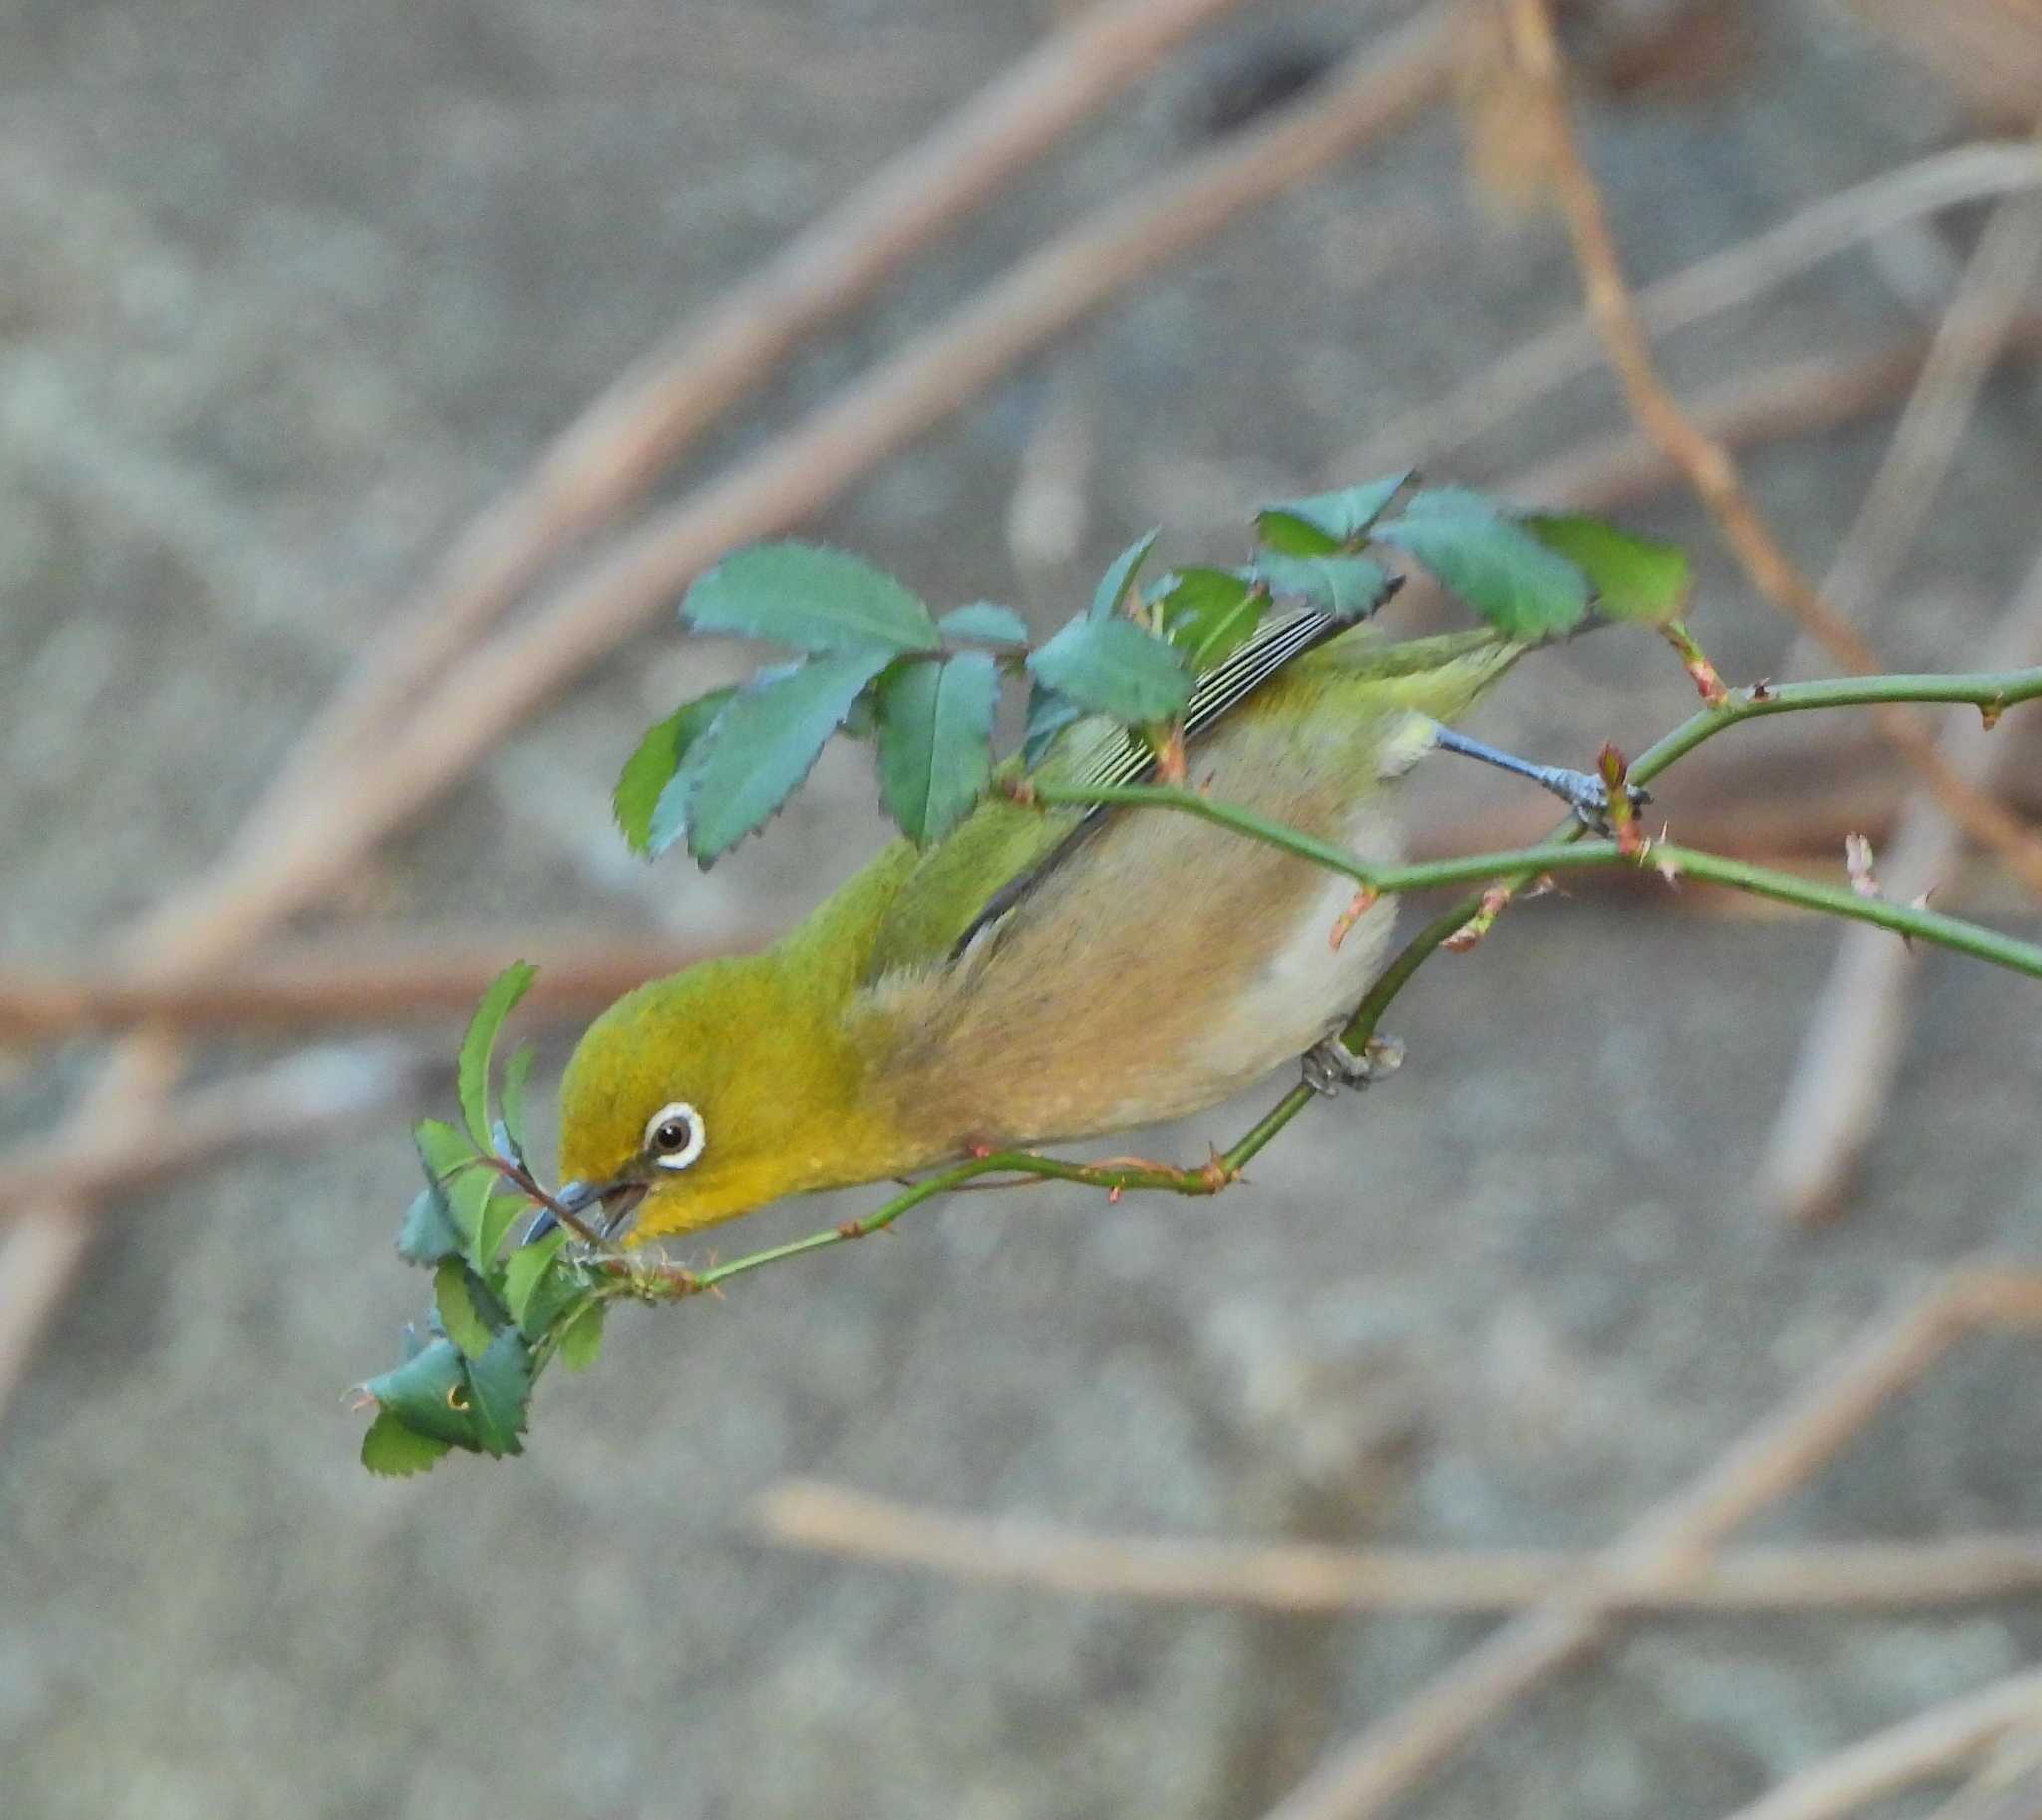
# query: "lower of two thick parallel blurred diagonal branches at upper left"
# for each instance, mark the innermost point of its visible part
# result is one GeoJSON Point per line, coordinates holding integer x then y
{"type": "Point", "coordinates": [1373, 93]}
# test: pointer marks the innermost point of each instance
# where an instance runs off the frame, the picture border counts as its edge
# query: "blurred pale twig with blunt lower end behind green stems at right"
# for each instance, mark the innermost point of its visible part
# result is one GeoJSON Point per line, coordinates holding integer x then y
{"type": "Point", "coordinates": [1853, 1045]}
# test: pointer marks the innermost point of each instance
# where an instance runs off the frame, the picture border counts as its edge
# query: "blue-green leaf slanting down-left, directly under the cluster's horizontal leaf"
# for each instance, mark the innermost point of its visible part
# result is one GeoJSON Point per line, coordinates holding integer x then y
{"type": "Point", "coordinates": [759, 753]}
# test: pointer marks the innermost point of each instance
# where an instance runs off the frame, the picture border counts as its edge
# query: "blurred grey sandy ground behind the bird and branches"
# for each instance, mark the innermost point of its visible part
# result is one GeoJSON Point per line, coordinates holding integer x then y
{"type": "Point", "coordinates": [287, 293]}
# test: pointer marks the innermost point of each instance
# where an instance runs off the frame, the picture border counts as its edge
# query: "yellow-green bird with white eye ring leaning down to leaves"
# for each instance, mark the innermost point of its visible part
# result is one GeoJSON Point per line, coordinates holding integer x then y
{"type": "Point", "coordinates": [1038, 975]}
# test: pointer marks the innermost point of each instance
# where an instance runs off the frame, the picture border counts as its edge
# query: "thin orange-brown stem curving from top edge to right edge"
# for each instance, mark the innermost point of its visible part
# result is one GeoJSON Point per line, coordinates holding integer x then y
{"type": "Point", "coordinates": [1710, 467]}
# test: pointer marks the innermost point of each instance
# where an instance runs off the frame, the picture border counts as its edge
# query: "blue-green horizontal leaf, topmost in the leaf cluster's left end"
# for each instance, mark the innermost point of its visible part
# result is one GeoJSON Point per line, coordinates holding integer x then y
{"type": "Point", "coordinates": [810, 597]}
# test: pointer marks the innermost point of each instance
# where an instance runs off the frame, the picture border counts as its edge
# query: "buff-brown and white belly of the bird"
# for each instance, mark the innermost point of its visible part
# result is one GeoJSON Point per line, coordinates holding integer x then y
{"type": "Point", "coordinates": [1161, 969]}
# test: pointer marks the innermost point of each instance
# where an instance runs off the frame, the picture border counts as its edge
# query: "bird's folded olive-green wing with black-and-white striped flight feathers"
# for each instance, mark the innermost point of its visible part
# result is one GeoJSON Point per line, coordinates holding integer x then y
{"type": "Point", "coordinates": [975, 877]}
